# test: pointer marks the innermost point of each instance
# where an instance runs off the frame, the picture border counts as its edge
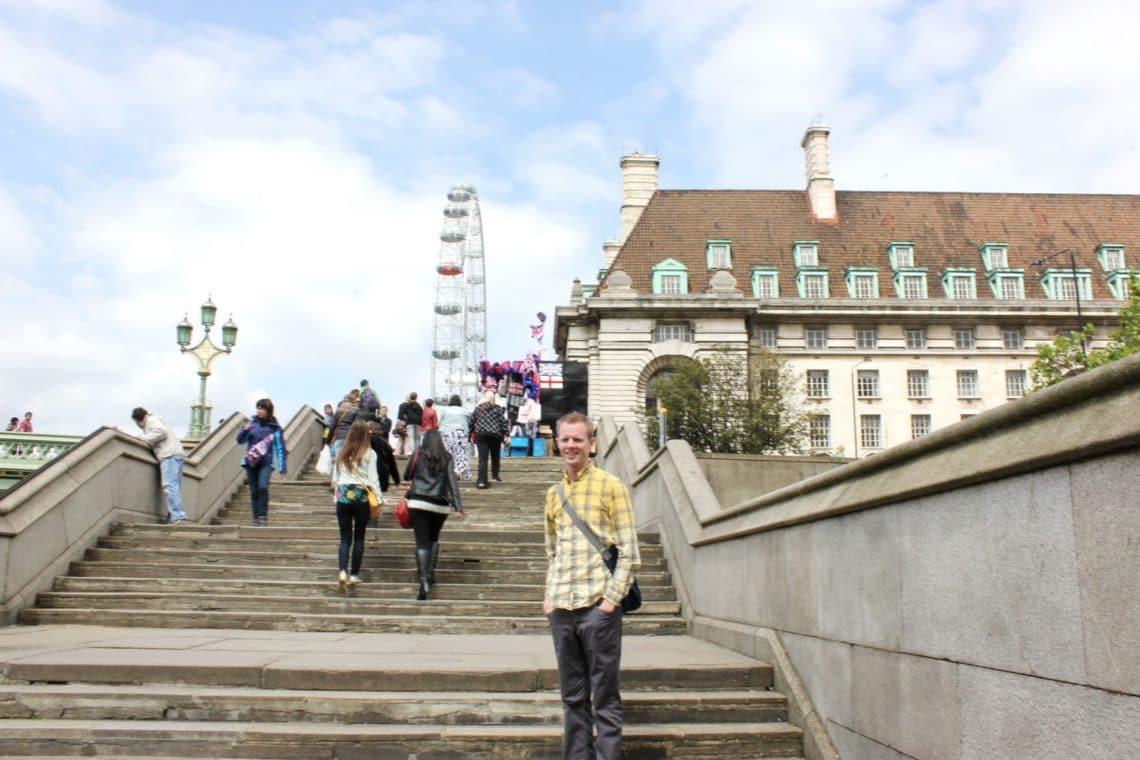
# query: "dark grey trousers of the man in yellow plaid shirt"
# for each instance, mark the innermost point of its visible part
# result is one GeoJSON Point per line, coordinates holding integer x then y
{"type": "Point", "coordinates": [588, 644]}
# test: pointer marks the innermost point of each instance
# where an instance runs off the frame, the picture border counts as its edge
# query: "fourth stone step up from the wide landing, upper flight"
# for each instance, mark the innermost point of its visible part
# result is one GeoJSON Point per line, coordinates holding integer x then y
{"type": "Point", "coordinates": [136, 567]}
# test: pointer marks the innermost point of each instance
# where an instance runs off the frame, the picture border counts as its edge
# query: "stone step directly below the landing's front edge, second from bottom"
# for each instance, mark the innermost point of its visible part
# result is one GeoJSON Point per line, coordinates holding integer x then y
{"type": "Point", "coordinates": [177, 702]}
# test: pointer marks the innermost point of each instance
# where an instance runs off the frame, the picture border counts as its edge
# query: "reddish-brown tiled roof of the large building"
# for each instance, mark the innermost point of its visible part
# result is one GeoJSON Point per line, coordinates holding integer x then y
{"type": "Point", "coordinates": [948, 230]}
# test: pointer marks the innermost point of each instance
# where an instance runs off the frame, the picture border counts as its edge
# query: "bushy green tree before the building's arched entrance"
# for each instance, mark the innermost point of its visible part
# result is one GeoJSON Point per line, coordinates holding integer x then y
{"type": "Point", "coordinates": [726, 404]}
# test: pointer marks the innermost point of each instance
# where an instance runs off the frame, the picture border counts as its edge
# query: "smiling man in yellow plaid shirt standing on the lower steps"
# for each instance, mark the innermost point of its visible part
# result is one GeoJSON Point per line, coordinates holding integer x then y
{"type": "Point", "coordinates": [583, 600]}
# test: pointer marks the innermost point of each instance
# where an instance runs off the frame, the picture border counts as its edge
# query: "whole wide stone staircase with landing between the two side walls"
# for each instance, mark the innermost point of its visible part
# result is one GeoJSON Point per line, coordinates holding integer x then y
{"type": "Point", "coordinates": [233, 641]}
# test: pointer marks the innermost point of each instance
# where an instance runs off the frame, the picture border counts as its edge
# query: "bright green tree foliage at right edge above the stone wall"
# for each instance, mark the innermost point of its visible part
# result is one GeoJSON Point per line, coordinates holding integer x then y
{"type": "Point", "coordinates": [1066, 356]}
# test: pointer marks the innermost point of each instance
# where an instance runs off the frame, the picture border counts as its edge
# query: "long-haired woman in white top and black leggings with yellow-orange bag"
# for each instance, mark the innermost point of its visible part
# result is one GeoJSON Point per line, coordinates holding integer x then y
{"type": "Point", "coordinates": [355, 476]}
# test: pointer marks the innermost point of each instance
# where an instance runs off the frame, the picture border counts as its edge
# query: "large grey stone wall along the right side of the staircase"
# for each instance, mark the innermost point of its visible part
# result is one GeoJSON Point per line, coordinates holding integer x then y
{"type": "Point", "coordinates": [970, 595]}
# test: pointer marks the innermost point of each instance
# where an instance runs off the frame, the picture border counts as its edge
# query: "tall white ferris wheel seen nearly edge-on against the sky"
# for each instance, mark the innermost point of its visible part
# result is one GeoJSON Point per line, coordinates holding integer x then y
{"type": "Point", "coordinates": [460, 318]}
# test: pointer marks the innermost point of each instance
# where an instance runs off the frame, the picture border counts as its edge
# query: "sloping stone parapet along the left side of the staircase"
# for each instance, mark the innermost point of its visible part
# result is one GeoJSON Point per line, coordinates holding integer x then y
{"type": "Point", "coordinates": [50, 520]}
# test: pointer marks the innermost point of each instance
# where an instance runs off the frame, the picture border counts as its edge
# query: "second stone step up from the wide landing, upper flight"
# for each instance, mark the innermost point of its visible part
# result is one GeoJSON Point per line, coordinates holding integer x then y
{"type": "Point", "coordinates": [335, 603]}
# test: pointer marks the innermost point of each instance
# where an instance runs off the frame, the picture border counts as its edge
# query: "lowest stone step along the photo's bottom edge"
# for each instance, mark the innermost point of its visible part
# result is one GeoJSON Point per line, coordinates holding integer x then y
{"type": "Point", "coordinates": [284, 741]}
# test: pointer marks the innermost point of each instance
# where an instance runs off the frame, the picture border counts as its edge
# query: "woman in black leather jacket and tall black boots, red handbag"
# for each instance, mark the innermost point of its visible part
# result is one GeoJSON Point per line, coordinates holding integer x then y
{"type": "Point", "coordinates": [434, 494]}
